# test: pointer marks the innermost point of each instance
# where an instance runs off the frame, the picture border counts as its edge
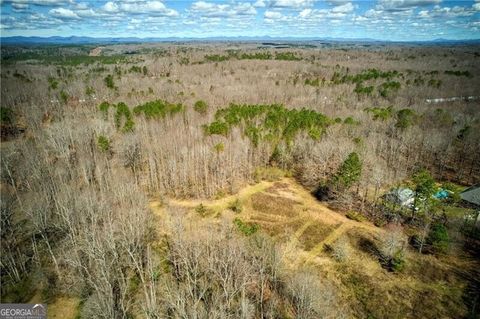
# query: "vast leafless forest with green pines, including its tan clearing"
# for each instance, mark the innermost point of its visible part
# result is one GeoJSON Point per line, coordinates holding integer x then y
{"type": "Point", "coordinates": [230, 180]}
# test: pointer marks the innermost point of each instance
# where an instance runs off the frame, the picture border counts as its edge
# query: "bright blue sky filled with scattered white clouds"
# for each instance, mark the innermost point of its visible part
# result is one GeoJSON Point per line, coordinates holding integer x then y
{"type": "Point", "coordinates": [397, 20]}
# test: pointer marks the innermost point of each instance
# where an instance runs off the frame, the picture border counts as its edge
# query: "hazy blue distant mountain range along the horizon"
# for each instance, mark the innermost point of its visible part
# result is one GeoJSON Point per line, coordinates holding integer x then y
{"type": "Point", "coordinates": [109, 40]}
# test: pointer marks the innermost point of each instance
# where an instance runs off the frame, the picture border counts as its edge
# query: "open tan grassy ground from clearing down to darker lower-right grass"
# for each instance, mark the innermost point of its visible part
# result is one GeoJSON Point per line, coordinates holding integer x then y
{"type": "Point", "coordinates": [302, 226]}
